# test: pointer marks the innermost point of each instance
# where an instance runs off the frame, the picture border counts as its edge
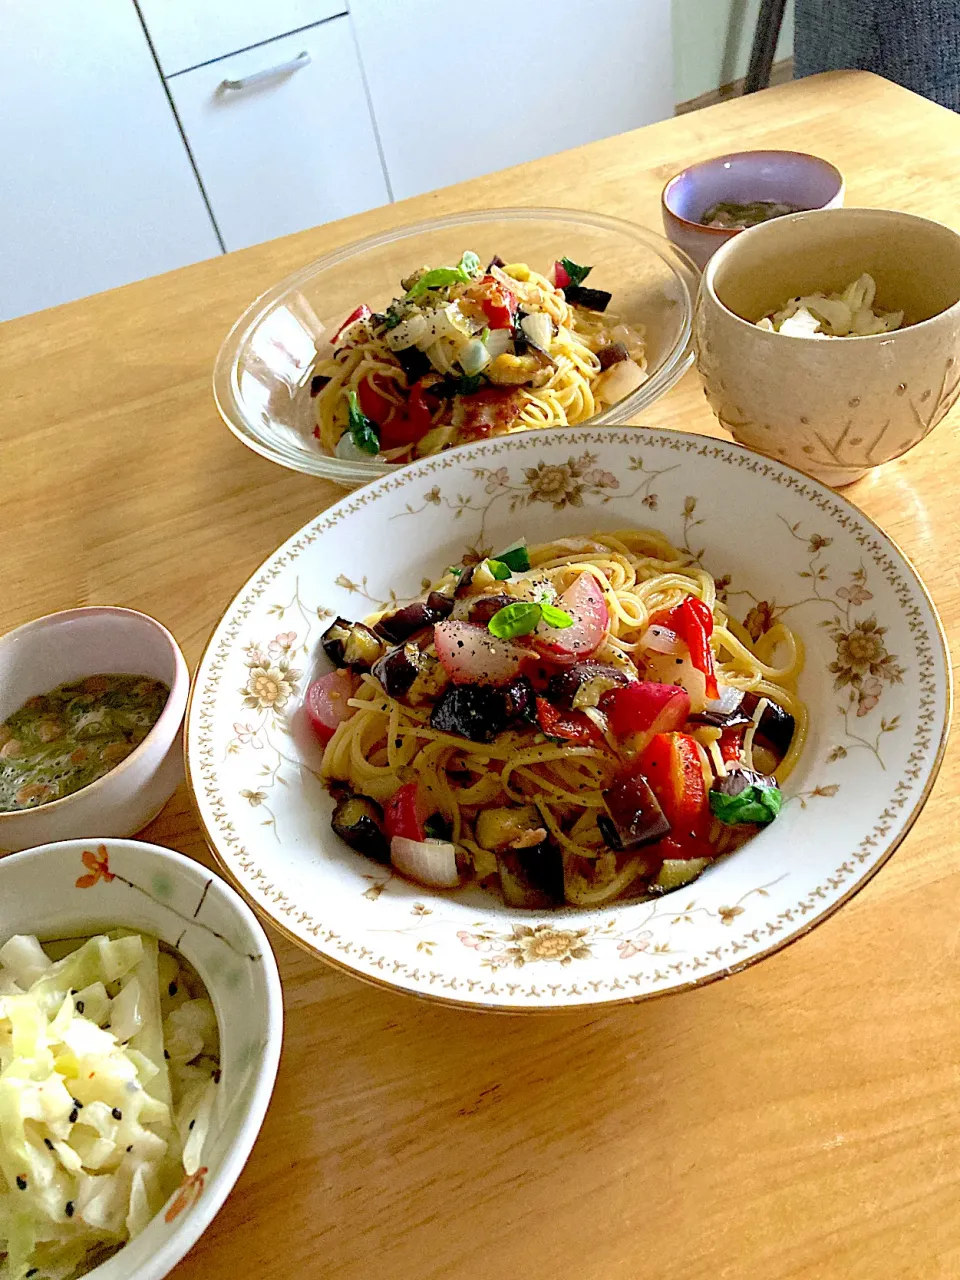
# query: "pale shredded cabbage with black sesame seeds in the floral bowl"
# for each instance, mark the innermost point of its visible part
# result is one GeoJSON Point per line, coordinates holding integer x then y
{"type": "Point", "coordinates": [109, 1062]}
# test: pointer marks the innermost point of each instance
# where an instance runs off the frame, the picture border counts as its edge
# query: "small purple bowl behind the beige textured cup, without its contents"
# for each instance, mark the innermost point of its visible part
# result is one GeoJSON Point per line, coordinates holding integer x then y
{"type": "Point", "coordinates": [789, 177]}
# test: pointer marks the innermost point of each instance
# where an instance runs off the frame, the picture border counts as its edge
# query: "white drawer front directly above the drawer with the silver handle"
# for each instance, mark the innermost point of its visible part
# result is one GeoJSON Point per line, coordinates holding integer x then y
{"type": "Point", "coordinates": [189, 33]}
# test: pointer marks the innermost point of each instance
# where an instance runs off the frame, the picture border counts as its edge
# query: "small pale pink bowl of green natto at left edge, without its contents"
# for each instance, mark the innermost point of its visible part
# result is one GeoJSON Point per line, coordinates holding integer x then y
{"type": "Point", "coordinates": [98, 641]}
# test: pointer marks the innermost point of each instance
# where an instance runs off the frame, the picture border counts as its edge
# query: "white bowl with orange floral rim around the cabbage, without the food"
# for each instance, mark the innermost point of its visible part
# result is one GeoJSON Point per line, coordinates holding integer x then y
{"type": "Point", "coordinates": [80, 888]}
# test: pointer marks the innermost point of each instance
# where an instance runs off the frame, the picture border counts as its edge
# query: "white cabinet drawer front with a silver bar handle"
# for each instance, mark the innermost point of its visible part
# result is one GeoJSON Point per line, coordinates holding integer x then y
{"type": "Point", "coordinates": [290, 147]}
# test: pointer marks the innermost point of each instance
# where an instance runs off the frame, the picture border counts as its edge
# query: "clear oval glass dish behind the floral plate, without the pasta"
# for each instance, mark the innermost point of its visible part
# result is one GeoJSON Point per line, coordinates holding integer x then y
{"type": "Point", "coordinates": [262, 378]}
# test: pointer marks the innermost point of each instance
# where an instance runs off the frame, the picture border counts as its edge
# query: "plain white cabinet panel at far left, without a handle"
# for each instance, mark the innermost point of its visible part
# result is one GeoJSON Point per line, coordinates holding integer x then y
{"type": "Point", "coordinates": [97, 188]}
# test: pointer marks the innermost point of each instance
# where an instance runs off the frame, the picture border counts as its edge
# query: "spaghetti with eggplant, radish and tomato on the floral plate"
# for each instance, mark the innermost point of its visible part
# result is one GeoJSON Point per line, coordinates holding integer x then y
{"type": "Point", "coordinates": [573, 724]}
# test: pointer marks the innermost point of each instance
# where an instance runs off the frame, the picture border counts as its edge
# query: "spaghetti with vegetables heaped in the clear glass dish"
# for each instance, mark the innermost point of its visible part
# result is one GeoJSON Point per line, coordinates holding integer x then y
{"type": "Point", "coordinates": [468, 353]}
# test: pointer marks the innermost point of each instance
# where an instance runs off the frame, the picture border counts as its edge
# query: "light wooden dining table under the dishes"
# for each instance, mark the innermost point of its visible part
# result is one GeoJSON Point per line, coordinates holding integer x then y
{"type": "Point", "coordinates": [802, 1119]}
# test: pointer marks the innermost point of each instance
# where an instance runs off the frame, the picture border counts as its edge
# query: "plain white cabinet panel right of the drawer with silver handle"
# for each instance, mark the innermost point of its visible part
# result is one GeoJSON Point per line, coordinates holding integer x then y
{"type": "Point", "coordinates": [461, 89]}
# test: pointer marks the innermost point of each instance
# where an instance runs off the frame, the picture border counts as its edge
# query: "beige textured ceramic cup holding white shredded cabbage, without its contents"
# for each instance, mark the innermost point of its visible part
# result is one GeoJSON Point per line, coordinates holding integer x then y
{"type": "Point", "coordinates": [836, 408]}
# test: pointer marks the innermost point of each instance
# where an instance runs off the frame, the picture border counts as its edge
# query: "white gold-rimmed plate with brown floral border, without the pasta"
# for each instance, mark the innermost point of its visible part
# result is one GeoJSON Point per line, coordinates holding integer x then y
{"type": "Point", "coordinates": [877, 683]}
